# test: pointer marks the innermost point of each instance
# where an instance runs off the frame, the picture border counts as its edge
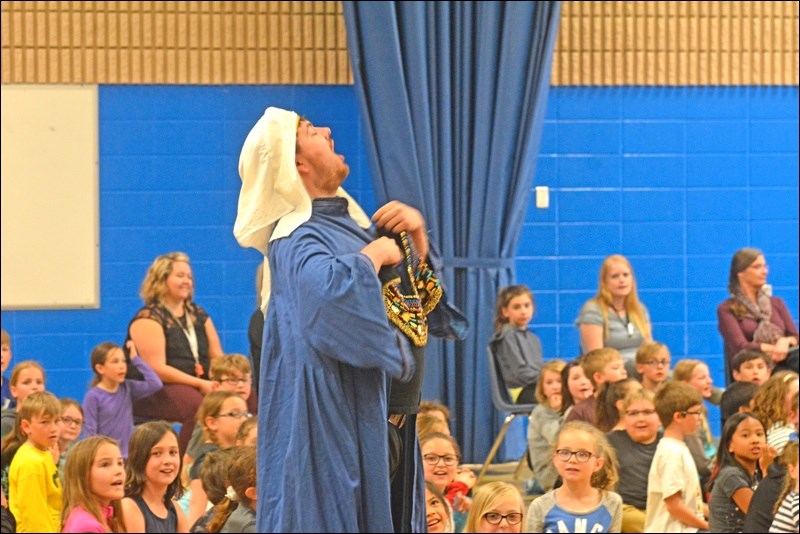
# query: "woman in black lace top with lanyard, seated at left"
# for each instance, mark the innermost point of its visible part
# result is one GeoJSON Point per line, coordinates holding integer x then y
{"type": "Point", "coordinates": [177, 338]}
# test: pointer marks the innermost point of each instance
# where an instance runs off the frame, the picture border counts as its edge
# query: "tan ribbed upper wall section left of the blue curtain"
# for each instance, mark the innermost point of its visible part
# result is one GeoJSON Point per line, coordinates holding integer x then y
{"type": "Point", "coordinates": [174, 42]}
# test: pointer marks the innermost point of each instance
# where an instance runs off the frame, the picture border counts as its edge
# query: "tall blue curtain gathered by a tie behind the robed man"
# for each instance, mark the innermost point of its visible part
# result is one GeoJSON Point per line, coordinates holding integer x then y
{"type": "Point", "coordinates": [452, 97]}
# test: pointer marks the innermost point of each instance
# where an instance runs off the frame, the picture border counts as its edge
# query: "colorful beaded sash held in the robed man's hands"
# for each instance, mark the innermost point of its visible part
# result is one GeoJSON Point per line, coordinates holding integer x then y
{"type": "Point", "coordinates": [412, 295]}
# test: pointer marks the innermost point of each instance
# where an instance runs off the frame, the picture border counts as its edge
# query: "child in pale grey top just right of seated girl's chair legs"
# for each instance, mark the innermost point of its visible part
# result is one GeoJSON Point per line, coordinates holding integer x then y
{"type": "Point", "coordinates": [543, 425]}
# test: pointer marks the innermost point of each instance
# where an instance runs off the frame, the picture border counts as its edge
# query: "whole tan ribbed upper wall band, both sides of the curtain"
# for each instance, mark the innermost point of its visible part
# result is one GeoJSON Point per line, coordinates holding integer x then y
{"type": "Point", "coordinates": [251, 42]}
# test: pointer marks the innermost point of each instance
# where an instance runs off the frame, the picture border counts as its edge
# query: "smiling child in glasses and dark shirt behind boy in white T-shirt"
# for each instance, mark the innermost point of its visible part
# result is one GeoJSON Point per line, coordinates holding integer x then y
{"type": "Point", "coordinates": [636, 443]}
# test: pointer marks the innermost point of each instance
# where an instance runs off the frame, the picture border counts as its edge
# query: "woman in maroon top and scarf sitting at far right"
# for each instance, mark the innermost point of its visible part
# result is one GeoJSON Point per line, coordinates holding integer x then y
{"type": "Point", "coordinates": [752, 318]}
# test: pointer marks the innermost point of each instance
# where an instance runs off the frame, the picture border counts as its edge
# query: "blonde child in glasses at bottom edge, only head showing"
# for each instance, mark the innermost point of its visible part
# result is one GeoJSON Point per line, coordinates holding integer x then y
{"type": "Point", "coordinates": [497, 507]}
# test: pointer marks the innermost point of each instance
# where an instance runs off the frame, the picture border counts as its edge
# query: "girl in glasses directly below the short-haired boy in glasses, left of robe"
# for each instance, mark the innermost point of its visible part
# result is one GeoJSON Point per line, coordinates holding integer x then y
{"type": "Point", "coordinates": [220, 415]}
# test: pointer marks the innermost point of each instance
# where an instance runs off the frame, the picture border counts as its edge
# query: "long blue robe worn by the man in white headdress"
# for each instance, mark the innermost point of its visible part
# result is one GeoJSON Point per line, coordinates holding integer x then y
{"type": "Point", "coordinates": [328, 354]}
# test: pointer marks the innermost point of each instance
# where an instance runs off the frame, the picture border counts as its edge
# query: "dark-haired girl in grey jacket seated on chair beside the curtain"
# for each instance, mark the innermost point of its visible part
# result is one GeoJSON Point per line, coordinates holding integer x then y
{"type": "Point", "coordinates": [515, 347]}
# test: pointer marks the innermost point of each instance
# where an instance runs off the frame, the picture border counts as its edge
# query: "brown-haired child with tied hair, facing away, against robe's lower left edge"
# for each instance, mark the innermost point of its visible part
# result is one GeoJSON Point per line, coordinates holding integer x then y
{"type": "Point", "coordinates": [237, 510]}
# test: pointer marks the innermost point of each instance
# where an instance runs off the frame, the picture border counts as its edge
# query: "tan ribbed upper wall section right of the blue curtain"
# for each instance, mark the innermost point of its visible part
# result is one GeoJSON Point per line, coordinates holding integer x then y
{"type": "Point", "coordinates": [677, 43]}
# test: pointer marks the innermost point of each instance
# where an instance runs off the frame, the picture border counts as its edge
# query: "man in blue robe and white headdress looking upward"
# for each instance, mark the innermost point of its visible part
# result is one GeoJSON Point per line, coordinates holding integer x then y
{"type": "Point", "coordinates": [329, 351]}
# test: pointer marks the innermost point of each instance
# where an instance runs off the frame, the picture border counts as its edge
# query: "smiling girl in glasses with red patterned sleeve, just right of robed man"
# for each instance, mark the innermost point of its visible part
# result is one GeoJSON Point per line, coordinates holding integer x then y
{"type": "Point", "coordinates": [440, 458]}
